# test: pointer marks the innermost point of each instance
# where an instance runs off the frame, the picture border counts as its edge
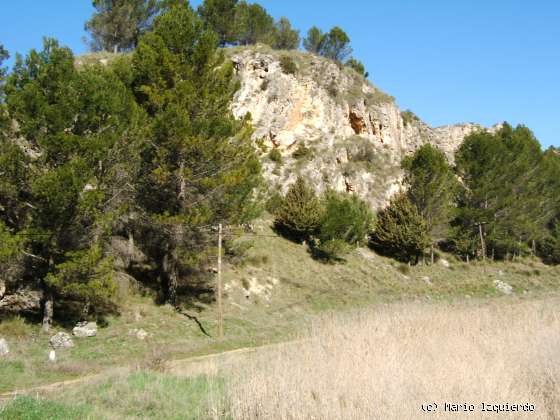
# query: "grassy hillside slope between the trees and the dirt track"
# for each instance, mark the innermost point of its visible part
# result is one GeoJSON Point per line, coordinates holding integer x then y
{"type": "Point", "coordinates": [272, 292]}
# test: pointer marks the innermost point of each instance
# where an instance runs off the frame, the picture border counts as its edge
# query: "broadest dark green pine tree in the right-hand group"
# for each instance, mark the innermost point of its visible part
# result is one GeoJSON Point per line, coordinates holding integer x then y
{"type": "Point", "coordinates": [505, 202]}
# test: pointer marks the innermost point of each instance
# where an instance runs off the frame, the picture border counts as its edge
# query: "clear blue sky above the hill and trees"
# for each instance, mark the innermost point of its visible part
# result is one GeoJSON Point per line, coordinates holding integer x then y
{"type": "Point", "coordinates": [449, 61]}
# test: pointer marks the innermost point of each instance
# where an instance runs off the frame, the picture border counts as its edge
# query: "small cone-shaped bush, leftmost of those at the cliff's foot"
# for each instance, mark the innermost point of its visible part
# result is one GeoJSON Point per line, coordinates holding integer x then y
{"type": "Point", "coordinates": [300, 212]}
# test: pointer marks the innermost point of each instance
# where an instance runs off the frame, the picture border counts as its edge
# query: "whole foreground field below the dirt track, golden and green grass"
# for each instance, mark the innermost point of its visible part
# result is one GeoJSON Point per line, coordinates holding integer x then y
{"type": "Point", "coordinates": [386, 362]}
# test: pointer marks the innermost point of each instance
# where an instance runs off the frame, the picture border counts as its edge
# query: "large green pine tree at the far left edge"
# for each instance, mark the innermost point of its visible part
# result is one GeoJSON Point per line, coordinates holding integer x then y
{"type": "Point", "coordinates": [70, 118]}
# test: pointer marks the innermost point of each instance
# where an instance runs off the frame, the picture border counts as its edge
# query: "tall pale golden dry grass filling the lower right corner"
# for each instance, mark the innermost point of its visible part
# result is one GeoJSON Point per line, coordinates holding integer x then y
{"type": "Point", "coordinates": [385, 363]}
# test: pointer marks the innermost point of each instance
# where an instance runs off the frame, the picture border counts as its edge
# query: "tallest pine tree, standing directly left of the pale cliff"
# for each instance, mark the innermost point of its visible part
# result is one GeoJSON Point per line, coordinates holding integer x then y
{"type": "Point", "coordinates": [199, 166]}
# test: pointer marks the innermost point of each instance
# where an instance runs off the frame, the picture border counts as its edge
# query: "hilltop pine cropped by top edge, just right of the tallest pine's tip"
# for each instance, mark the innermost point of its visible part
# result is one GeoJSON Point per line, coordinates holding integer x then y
{"type": "Point", "coordinates": [219, 16]}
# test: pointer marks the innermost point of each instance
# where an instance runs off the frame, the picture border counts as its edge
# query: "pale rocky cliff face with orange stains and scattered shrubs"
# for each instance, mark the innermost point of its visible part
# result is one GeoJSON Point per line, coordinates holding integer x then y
{"type": "Point", "coordinates": [330, 125]}
